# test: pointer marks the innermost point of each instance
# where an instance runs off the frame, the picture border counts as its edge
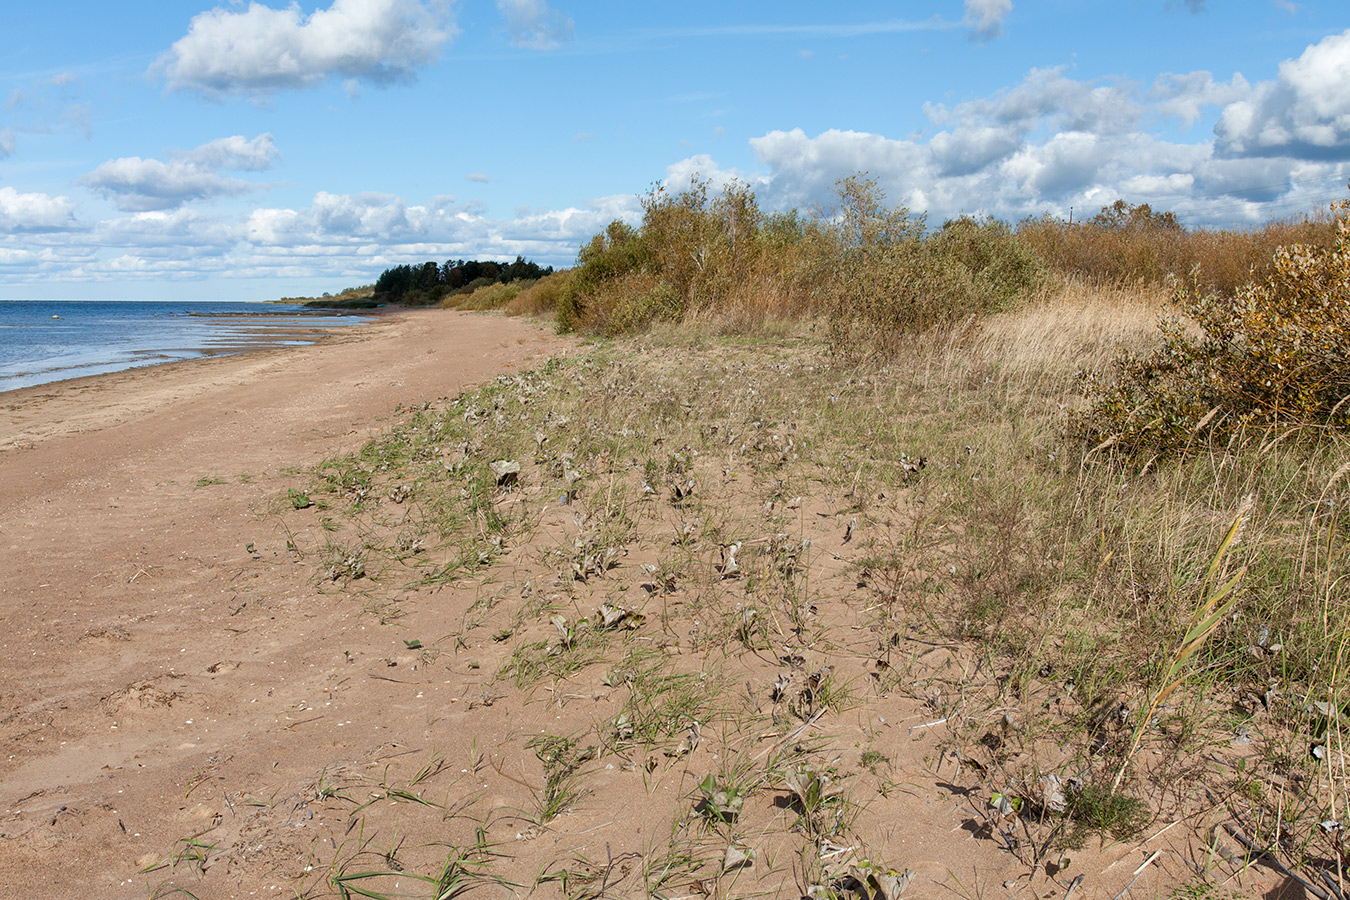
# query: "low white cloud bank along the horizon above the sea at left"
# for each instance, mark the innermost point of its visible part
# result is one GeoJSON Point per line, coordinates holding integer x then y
{"type": "Point", "coordinates": [335, 237]}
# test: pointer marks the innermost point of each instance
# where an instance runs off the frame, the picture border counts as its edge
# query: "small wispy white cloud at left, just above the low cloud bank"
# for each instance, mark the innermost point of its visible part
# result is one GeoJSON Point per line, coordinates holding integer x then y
{"type": "Point", "coordinates": [138, 186]}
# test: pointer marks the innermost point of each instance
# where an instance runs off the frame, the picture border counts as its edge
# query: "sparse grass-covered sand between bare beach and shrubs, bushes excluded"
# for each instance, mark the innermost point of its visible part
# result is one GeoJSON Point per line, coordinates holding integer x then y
{"type": "Point", "coordinates": [785, 542]}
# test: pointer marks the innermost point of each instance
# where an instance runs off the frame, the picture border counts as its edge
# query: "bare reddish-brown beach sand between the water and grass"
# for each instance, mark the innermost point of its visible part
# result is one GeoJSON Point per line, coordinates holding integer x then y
{"type": "Point", "coordinates": [155, 642]}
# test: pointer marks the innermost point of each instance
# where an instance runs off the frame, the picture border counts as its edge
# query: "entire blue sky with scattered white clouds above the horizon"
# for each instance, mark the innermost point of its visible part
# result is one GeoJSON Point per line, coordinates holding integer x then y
{"type": "Point", "coordinates": [187, 150]}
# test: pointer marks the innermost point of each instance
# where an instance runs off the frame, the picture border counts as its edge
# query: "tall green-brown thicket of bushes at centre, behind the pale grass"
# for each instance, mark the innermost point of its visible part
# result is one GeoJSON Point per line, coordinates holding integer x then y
{"type": "Point", "coordinates": [867, 268]}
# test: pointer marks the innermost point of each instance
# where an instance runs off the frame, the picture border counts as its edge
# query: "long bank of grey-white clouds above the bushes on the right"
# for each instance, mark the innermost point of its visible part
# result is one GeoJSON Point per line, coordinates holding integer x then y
{"type": "Point", "coordinates": [1052, 144]}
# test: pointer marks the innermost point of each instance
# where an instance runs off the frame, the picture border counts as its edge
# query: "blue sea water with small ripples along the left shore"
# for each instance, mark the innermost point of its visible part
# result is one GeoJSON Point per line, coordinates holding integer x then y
{"type": "Point", "coordinates": [51, 341]}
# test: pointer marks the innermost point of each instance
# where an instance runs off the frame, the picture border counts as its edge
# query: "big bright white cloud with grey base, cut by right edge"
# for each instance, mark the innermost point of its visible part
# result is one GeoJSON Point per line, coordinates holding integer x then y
{"type": "Point", "coordinates": [1303, 114]}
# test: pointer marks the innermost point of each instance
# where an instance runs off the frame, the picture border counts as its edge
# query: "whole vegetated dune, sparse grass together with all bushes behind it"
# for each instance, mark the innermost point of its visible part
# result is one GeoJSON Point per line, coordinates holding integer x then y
{"type": "Point", "coordinates": [847, 466]}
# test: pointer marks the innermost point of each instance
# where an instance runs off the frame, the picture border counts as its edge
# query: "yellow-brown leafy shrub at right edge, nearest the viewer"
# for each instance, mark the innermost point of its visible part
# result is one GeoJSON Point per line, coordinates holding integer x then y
{"type": "Point", "coordinates": [1274, 354]}
